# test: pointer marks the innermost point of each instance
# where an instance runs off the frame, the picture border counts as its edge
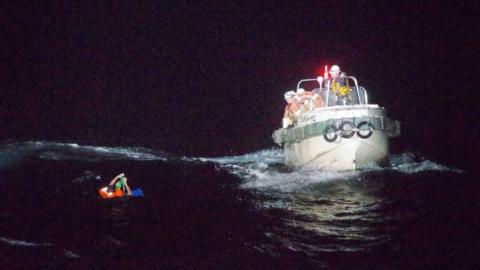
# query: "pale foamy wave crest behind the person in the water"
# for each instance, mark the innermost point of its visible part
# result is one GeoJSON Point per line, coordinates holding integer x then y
{"type": "Point", "coordinates": [12, 154]}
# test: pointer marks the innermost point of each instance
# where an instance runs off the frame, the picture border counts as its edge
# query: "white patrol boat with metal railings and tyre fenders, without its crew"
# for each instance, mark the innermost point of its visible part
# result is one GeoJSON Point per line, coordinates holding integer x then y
{"type": "Point", "coordinates": [339, 135]}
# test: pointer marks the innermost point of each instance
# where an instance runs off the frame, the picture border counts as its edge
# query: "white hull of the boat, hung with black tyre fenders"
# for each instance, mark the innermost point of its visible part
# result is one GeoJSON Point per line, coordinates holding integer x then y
{"type": "Point", "coordinates": [342, 153]}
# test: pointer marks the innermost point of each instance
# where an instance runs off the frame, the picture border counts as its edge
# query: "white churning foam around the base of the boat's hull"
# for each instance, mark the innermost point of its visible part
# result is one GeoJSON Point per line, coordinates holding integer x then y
{"type": "Point", "coordinates": [264, 170]}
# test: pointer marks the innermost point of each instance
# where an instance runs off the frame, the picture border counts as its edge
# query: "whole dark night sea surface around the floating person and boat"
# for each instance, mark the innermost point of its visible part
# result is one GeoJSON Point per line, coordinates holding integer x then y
{"type": "Point", "coordinates": [234, 212]}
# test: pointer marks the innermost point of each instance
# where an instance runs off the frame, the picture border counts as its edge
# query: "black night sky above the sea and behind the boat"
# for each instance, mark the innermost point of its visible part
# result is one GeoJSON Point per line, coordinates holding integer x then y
{"type": "Point", "coordinates": [206, 78]}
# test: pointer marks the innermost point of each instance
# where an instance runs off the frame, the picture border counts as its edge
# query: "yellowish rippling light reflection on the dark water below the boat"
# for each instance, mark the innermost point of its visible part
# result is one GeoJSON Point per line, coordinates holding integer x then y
{"type": "Point", "coordinates": [342, 214]}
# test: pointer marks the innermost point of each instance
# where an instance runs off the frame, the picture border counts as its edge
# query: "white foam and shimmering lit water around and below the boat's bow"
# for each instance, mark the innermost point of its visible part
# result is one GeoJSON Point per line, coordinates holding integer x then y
{"type": "Point", "coordinates": [347, 211]}
